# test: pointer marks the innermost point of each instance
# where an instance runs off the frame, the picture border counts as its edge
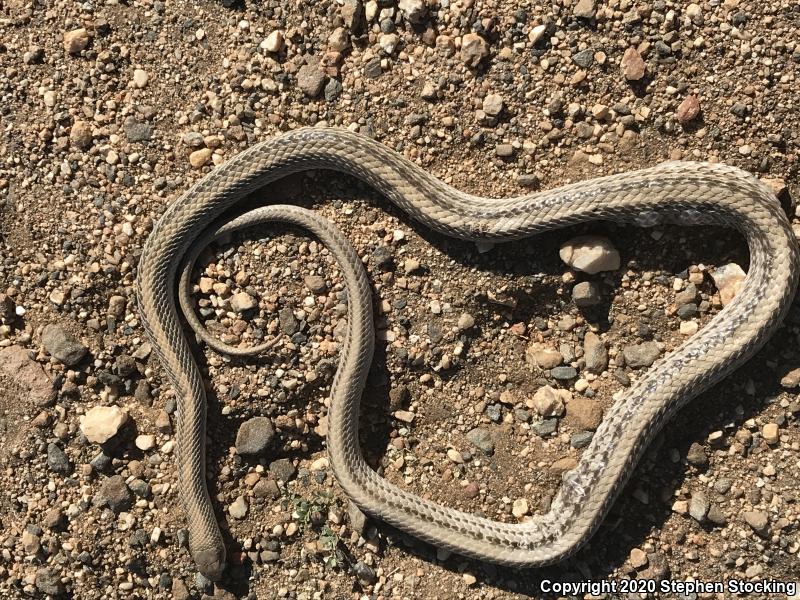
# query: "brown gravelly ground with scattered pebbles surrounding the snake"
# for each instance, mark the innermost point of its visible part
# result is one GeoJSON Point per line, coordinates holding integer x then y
{"type": "Point", "coordinates": [493, 366]}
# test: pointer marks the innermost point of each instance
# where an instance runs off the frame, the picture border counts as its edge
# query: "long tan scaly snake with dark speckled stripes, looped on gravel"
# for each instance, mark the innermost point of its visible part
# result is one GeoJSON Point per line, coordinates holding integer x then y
{"type": "Point", "coordinates": [680, 193]}
